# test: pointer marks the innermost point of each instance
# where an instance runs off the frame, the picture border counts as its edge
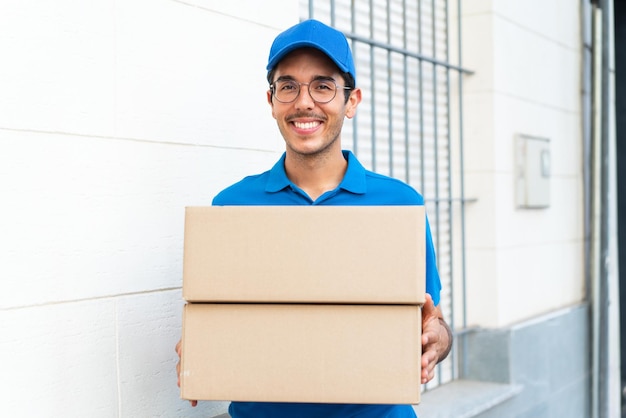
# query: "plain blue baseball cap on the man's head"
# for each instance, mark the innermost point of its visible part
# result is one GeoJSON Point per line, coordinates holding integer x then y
{"type": "Point", "coordinates": [314, 34]}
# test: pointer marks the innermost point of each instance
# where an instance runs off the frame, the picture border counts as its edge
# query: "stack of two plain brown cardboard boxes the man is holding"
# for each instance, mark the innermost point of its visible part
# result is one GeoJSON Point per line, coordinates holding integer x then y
{"type": "Point", "coordinates": [303, 304]}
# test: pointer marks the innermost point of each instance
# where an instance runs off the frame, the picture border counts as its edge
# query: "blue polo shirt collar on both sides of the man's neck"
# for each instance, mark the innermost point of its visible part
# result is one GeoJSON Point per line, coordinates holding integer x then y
{"type": "Point", "coordinates": [353, 181]}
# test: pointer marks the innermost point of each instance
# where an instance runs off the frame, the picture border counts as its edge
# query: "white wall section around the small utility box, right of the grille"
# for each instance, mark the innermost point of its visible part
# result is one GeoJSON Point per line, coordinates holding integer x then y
{"type": "Point", "coordinates": [527, 62]}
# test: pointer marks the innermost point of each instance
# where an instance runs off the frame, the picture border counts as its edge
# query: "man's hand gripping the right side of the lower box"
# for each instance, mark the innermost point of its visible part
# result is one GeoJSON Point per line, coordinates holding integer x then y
{"type": "Point", "coordinates": [436, 340]}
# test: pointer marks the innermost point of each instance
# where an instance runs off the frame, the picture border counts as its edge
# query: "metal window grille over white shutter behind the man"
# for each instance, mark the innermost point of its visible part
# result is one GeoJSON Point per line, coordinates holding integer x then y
{"type": "Point", "coordinates": [409, 124]}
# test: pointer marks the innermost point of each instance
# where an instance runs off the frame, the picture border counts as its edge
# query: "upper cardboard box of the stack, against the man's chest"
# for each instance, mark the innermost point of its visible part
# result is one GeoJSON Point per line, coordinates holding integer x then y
{"type": "Point", "coordinates": [303, 254]}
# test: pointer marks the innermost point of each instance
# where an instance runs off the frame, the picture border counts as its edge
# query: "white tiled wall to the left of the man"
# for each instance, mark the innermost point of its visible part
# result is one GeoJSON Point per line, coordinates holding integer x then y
{"type": "Point", "coordinates": [114, 116]}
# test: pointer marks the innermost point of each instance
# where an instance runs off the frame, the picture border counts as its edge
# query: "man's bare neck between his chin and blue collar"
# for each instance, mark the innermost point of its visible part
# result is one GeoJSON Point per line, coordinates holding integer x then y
{"type": "Point", "coordinates": [316, 174]}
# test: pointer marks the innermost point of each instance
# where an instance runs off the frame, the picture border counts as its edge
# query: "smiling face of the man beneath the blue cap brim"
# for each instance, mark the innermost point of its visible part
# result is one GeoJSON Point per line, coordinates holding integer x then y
{"type": "Point", "coordinates": [311, 128]}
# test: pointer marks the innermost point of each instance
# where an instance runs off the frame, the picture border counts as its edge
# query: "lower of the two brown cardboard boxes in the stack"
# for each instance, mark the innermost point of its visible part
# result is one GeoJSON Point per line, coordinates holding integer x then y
{"type": "Point", "coordinates": [302, 353]}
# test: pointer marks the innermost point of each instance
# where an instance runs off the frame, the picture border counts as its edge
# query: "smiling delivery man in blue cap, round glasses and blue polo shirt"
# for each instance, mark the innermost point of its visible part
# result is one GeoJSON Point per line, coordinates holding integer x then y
{"type": "Point", "coordinates": [312, 89]}
